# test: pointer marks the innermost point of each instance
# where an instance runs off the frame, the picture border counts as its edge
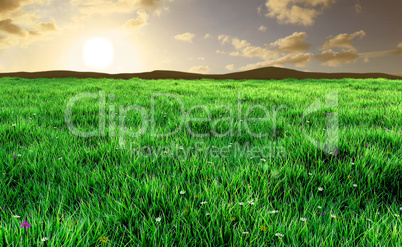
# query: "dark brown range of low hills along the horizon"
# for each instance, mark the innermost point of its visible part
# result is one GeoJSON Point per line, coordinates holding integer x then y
{"type": "Point", "coordinates": [266, 73]}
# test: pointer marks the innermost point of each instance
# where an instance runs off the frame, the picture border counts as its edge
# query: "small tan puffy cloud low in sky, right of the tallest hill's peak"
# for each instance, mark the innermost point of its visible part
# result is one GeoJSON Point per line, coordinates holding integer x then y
{"type": "Point", "coordinates": [335, 59]}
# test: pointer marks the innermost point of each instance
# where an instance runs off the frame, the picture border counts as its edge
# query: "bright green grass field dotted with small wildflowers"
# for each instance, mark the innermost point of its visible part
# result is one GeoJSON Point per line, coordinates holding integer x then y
{"type": "Point", "coordinates": [231, 188]}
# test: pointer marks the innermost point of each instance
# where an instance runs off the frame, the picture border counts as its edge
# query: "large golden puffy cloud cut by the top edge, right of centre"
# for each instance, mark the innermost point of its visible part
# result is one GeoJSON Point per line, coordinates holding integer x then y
{"type": "Point", "coordinates": [299, 12]}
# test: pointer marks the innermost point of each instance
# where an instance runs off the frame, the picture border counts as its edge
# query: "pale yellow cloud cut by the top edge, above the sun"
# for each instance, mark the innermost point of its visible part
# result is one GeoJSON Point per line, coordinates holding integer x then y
{"type": "Point", "coordinates": [107, 7]}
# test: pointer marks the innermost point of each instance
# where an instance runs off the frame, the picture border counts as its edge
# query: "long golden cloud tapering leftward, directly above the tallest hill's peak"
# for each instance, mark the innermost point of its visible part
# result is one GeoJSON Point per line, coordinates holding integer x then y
{"type": "Point", "coordinates": [299, 60]}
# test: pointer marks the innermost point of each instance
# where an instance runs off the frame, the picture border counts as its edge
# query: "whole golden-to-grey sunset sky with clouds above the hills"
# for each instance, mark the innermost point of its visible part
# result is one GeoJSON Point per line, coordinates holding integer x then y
{"type": "Point", "coordinates": [203, 36]}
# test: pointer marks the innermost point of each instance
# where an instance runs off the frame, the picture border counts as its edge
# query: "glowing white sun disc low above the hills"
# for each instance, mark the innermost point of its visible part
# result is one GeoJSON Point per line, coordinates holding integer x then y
{"type": "Point", "coordinates": [98, 53]}
